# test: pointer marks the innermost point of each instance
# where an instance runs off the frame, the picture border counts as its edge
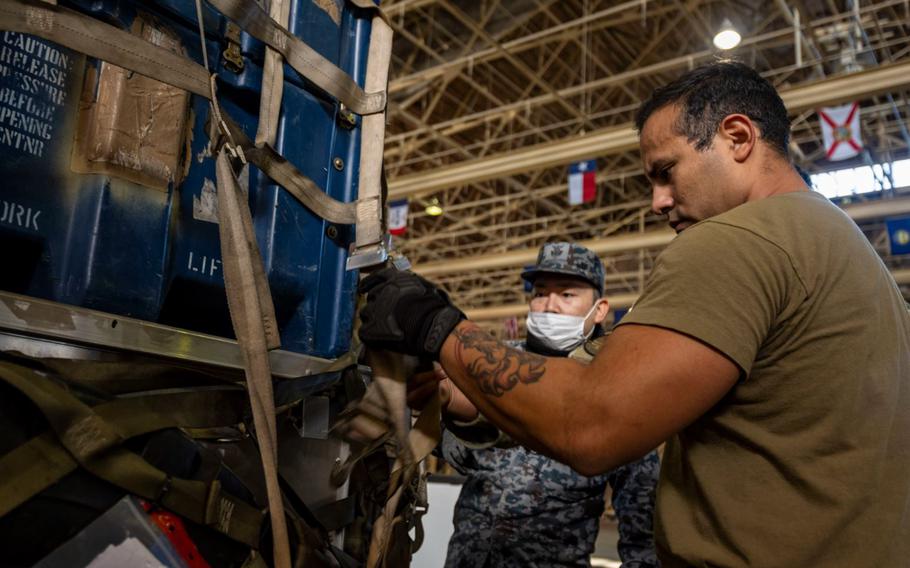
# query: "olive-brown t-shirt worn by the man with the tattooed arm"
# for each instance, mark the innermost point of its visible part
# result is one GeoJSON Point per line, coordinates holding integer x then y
{"type": "Point", "coordinates": [805, 461]}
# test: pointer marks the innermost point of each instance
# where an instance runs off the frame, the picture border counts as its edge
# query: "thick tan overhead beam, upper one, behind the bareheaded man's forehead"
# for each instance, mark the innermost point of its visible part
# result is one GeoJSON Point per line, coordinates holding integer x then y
{"type": "Point", "coordinates": [604, 142]}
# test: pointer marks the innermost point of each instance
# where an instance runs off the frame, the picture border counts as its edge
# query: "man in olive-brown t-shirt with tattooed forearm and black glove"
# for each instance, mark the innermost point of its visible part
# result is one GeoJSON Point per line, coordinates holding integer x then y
{"type": "Point", "coordinates": [770, 348]}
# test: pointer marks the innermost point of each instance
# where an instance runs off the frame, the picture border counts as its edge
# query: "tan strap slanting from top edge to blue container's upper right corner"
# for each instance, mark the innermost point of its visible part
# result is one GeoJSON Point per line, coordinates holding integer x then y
{"type": "Point", "coordinates": [304, 59]}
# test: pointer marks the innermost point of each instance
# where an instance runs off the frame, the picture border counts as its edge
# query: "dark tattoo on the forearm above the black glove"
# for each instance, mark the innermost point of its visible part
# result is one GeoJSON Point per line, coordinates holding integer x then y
{"type": "Point", "coordinates": [495, 367]}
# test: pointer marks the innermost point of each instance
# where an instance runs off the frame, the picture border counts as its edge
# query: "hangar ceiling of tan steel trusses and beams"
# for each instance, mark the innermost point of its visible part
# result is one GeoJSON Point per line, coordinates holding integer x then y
{"type": "Point", "coordinates": [490, 100]}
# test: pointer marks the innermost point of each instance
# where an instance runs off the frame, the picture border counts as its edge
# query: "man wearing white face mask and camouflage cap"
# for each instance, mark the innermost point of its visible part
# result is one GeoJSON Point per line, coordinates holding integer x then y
{"type": "Point", "coordinates": [518, 507]}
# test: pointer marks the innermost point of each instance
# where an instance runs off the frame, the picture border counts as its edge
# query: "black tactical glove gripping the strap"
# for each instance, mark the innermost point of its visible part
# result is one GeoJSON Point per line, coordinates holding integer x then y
{"type": "Point", "coordinates": [406, 313]}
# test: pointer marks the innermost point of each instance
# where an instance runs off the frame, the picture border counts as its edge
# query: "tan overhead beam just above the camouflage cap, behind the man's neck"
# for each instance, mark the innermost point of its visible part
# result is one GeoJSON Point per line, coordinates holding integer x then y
{"type": "Point", "coordinates": [623, 243]}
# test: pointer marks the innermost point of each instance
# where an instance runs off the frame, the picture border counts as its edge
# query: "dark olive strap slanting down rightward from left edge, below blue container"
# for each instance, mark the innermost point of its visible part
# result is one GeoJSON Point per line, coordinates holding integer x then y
{"type": "Point", "coordinates": [95, 444]}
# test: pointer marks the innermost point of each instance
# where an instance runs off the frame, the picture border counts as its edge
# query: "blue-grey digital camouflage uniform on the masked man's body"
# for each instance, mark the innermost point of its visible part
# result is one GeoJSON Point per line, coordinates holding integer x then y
{"type": "Point", "coordinates": [521, 508]}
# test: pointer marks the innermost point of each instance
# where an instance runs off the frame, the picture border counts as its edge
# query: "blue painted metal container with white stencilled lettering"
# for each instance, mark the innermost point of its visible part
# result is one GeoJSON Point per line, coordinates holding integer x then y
{"type": "Point", "coordinates": [109, 244]}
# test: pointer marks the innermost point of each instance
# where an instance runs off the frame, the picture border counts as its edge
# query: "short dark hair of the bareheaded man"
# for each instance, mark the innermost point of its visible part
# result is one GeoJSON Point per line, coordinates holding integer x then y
{"type": "Point", "coordinates": [708, 94]}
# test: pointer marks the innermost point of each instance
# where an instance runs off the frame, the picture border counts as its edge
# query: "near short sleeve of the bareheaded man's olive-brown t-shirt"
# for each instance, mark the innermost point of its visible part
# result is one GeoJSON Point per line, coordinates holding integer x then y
{"type": "Point", "coordinates": [721, 284]}
